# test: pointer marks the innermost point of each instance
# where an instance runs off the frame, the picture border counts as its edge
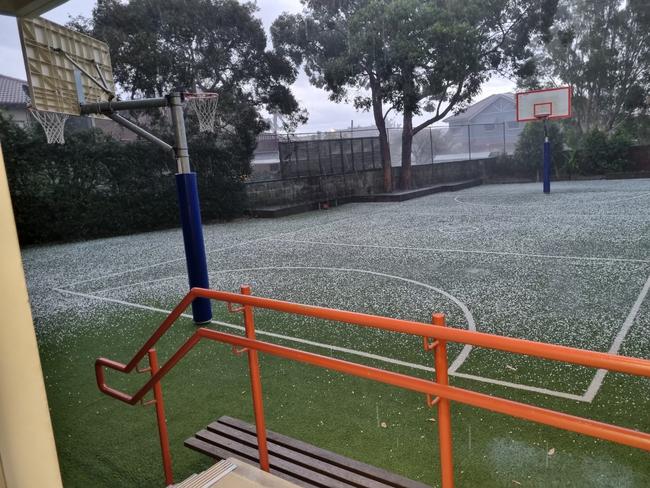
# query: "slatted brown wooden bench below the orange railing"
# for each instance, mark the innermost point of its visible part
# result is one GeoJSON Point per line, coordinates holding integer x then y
{"type": "Point", "coordinates": [296, 461]}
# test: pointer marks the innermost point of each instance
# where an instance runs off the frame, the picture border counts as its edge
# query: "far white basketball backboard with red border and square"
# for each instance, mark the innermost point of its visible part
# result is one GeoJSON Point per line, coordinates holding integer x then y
{"type": "Point", "coordinates": [549, 103]}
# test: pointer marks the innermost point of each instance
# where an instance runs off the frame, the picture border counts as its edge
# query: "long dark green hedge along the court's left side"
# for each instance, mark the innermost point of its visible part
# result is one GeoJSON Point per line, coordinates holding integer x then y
{"type": "Point", "coordinates": [95, 186]}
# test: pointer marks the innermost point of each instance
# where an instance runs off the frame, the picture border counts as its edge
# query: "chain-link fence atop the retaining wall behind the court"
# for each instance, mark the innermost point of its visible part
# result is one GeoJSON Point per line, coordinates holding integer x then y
{"type": "Point", "coordinates": [281, 156]}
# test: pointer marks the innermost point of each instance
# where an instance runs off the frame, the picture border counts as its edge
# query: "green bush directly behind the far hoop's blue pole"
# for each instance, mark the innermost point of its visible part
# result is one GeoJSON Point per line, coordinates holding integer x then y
{"type": "Point", "coordinates": [530, 146]}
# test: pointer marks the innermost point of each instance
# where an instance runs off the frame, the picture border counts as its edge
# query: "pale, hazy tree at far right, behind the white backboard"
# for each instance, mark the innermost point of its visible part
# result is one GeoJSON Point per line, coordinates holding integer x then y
{"type": "Point", "coordinates": [602, 49]}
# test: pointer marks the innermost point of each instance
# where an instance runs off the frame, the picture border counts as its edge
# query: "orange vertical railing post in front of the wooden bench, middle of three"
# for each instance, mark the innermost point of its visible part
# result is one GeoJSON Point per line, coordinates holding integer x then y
{"type": "Point", "coordinates": [256, 384]}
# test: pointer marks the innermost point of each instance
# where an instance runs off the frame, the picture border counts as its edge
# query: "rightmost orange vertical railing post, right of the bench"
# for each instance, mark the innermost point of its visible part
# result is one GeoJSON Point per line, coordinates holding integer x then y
{"type": "Point", "coordinates": [444, 409]}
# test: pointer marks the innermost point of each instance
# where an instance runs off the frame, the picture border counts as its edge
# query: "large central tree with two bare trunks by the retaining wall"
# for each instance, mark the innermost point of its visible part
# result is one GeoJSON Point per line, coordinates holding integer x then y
{"type": "Point", "coordinates": [408, 55]}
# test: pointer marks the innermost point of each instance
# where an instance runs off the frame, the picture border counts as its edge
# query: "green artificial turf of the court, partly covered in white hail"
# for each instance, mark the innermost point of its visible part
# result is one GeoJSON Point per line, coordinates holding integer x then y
{"type": "Point", "coordinates": [578, 302]}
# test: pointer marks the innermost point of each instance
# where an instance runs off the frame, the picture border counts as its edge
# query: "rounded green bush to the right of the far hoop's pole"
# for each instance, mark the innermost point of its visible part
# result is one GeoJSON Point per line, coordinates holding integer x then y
{"type": "Point", "coordinates": [603, 153]}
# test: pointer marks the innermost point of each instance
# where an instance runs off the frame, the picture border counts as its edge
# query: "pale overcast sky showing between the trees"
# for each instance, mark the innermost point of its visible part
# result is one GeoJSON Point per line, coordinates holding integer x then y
{"type": "Point", "coordinates": [323, 114]}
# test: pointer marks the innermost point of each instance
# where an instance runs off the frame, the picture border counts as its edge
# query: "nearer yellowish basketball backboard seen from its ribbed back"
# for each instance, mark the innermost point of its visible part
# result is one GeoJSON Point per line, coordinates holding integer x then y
{"type": "Point", "coordinates": [64, 67]}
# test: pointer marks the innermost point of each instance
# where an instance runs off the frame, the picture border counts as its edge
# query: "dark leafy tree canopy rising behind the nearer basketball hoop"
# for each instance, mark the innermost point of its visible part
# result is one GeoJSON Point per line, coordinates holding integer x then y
{"type": "Point", "coordinates": [207, 45]}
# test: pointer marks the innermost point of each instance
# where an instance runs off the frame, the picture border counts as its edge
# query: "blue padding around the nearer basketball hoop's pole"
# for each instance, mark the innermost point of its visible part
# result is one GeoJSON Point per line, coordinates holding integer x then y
{"type": "Point", "coordinates": [197, 267]}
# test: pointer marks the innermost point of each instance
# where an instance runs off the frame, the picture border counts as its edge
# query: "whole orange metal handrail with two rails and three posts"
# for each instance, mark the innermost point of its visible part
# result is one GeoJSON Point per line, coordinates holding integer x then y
{"type": "Point", "coordinates": [437, 392]}
